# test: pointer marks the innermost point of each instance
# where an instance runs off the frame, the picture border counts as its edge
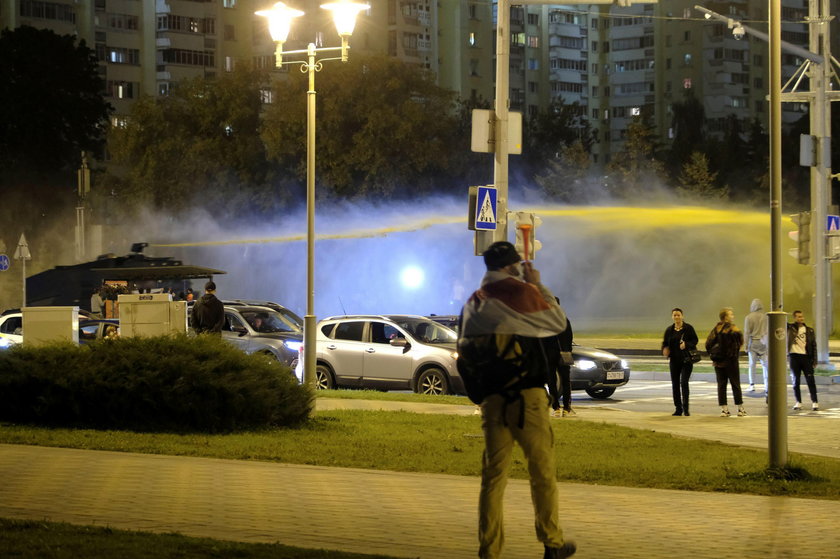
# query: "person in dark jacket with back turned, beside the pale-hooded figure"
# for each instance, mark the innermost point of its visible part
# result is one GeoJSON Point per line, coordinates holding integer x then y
{"type": "Point", "coordinates": [724, 344]}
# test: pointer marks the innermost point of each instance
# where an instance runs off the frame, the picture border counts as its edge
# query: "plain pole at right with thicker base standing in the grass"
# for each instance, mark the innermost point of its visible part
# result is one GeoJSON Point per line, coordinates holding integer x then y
{"type": "Point", "coordinates": [776, 318]}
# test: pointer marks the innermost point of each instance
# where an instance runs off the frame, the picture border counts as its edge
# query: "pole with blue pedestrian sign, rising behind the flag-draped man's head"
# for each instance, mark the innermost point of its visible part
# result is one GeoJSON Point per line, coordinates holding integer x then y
{"type": "Point", "coordinates": [501, 109]}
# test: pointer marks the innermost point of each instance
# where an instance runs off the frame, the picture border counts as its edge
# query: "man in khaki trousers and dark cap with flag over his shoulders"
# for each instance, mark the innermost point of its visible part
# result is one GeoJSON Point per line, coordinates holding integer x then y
{"type": "Point", "coordinates": [505, 326]}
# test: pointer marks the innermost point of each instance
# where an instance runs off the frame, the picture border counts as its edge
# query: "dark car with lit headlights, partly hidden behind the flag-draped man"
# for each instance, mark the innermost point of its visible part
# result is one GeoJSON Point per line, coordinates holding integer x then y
{"type": "Point", "coordinates": [596, 371]}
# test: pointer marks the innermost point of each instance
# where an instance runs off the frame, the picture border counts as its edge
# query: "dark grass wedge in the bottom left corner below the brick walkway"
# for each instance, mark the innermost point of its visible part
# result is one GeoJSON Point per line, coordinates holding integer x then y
{"type": "Point", "coordinates": [37, 540]}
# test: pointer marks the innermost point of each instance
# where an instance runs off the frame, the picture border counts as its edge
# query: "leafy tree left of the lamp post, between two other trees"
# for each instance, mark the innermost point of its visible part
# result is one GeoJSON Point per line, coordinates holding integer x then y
{"type": "Point", "coordinates": [200, 145]}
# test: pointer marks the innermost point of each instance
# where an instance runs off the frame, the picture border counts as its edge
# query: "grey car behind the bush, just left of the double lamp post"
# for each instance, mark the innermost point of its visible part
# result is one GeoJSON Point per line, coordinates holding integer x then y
{"type": "Point", "coordinates": [257, 329]}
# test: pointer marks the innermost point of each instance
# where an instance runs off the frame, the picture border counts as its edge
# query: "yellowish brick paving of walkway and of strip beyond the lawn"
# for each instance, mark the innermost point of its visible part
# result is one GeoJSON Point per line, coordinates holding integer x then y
{"type": "Point", "coordinates": [408, 514]}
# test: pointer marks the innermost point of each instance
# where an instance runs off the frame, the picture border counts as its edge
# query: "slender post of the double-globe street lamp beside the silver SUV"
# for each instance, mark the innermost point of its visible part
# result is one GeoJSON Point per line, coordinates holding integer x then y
{"type": "Point", "coordinates": [309, 353]}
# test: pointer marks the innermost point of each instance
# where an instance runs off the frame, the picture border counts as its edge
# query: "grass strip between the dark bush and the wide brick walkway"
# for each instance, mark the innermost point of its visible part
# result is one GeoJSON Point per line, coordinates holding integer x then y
{"type": "Point", "coordinates": [401, 441]}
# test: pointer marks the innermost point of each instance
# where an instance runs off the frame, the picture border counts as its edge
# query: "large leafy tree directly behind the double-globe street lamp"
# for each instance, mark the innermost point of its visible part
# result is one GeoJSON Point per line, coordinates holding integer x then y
{"type": "Point", "coordinates": [383, 128]}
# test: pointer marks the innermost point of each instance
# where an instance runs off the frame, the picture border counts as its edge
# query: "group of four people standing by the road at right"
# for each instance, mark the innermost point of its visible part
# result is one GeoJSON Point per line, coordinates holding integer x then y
{"type": "Point", "coordinates": [724, 344]}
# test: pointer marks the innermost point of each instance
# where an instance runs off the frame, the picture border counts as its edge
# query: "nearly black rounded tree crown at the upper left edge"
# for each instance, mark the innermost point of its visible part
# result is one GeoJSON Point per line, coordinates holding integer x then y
{"type": "Point", "coordinates": [51, 103]}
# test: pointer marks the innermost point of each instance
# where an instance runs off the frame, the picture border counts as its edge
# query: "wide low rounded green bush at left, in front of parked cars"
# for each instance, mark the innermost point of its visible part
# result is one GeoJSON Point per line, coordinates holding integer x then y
{"type": "Point", "coordinates": [149, 384]}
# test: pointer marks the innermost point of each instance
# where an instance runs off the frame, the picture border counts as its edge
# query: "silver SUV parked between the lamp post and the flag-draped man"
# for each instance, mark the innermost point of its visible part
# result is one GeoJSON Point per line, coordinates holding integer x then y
{"type": "Point", "coordinates": [399, 352]}
